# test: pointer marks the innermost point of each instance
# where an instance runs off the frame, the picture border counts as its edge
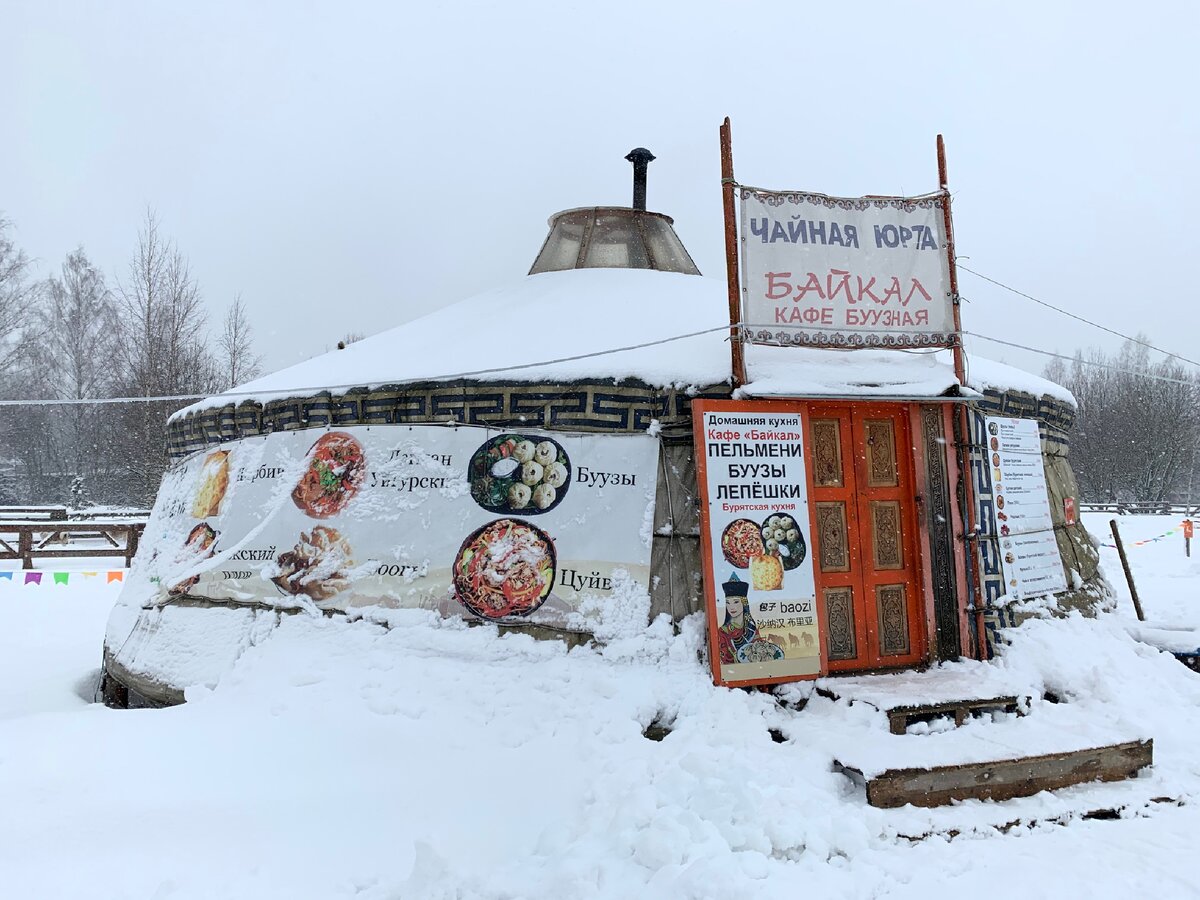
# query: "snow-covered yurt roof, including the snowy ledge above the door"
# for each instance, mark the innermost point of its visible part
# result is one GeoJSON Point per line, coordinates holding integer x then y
{"type": "Point", "coordinates": [662, 329]}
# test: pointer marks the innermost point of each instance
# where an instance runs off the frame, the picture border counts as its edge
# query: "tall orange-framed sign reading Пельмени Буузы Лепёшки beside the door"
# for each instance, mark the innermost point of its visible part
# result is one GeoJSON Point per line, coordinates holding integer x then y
{"type": "Point", "coordinates": [755, 535]}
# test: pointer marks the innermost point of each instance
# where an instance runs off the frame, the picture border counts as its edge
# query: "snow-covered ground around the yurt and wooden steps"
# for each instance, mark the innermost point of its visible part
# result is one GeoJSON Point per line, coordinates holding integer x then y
{"type": "Point", "coordinates": [440, 761]}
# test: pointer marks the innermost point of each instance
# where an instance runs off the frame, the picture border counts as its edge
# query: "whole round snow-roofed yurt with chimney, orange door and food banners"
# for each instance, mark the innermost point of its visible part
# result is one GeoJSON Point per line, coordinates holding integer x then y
{"type": "Point", "coordinates": [557, 457]}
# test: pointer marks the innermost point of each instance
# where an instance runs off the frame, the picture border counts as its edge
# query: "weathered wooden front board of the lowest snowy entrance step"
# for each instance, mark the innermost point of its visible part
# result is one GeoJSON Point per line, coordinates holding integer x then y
{"type": "Point", "coordinates": [1005, 779]}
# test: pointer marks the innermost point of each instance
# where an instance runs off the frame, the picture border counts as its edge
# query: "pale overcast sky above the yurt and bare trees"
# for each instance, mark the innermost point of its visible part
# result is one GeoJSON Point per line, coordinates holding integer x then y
{"type": "Point", "coordinates": [347, 167]}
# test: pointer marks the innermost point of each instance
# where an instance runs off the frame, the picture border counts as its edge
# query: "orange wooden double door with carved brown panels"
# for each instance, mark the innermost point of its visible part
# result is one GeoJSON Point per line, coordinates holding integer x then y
{"type": "Point", "coordinates": [863, 506]}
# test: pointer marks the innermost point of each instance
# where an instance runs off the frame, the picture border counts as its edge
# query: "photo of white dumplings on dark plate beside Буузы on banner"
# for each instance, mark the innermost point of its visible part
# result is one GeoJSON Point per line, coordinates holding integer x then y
{"type": "Point", "coordinates": [520, 473]}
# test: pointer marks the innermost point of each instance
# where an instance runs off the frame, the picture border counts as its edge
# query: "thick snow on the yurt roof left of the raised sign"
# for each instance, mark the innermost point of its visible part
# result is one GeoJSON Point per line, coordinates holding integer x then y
{"type": "Point", "coordinates": [553, 316]}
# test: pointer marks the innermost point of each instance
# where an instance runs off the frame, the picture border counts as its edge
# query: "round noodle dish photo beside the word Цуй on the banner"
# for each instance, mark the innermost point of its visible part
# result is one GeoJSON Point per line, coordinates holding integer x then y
{"type": "Point", "coordinates": [507, 568]}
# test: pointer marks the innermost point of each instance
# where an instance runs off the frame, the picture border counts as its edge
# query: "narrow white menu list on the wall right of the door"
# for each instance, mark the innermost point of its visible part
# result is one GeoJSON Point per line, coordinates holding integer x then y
{"type": "Point", "coordinates": [1029, 550]}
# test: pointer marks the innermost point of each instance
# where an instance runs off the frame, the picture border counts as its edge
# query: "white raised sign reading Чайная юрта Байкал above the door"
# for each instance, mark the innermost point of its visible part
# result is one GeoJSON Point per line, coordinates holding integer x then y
{"type": "Point", "coordinates": [845, 273]}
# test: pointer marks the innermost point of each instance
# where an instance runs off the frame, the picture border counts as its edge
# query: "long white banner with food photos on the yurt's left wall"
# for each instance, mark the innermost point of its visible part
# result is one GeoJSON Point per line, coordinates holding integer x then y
{"type": "Point", "coordinates": [512, 526]}
